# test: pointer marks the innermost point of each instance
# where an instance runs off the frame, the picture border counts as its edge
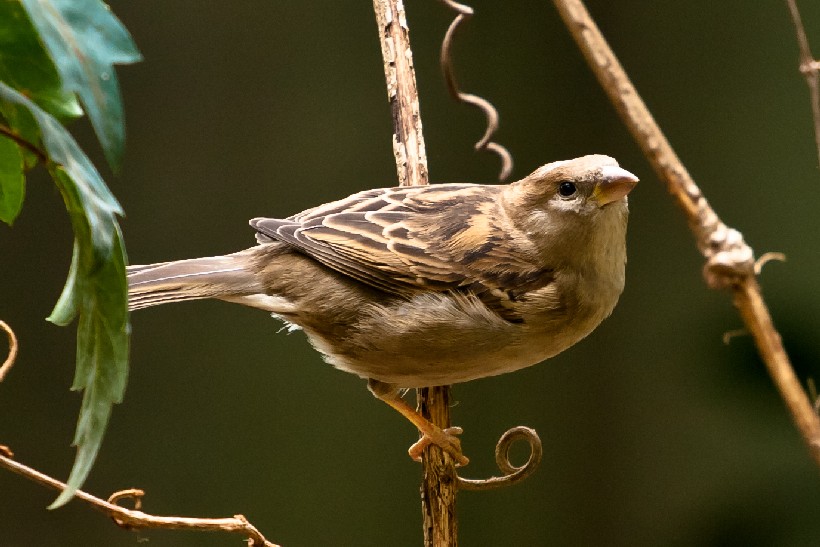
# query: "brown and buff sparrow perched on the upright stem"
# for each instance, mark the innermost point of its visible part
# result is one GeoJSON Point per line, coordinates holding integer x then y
{"type": "Point", "coordinates": [419, 286]}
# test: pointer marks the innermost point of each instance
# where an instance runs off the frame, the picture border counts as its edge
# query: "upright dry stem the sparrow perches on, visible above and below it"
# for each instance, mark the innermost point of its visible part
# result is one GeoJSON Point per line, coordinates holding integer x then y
{"type": "Point", "coordinates": [439, 485]}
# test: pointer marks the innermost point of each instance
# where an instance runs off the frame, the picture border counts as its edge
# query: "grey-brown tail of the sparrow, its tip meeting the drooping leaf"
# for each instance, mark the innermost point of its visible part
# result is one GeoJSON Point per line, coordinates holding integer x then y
{"type": "Point", "coordinates": [223, 277]}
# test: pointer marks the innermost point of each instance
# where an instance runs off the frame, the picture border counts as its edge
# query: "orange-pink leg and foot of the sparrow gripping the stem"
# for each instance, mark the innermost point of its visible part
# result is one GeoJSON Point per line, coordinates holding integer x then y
{"type": "Point", "coordinates": [431, 434]}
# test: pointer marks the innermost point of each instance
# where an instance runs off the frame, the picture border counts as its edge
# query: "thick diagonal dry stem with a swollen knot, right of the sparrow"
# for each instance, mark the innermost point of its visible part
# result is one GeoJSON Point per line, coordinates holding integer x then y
{"type": "Point", "coordinates": [729, 261]}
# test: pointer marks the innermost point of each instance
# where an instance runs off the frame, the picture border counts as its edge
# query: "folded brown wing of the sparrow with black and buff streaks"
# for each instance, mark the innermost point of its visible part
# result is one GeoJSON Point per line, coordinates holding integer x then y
{"type": "Point", "coordinates": [402, 240]}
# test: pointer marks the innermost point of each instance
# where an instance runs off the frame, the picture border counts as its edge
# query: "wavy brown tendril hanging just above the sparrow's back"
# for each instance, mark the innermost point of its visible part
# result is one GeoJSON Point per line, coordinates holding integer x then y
{"type": "Point", "coordinates": [464, 13]}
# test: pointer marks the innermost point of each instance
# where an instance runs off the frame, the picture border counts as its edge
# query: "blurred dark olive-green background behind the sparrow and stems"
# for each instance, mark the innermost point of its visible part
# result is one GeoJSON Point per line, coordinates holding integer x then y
{"type": "Point", "coordinates": [655, 432]}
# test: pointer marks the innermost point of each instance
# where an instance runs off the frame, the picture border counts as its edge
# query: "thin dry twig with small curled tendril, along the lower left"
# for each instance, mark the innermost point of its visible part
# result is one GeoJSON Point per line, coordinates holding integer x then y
{"type": "Point", "coordinates": [135, 519]}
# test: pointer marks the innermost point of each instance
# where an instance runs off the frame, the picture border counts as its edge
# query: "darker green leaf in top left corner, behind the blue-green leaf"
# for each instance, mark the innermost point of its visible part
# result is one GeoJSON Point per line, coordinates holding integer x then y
{"type": "Point", "coordinates": [25, 65]}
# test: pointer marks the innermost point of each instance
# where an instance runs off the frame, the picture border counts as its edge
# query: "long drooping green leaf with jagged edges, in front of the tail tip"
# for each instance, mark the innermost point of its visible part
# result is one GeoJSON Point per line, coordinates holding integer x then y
{"type": "Point", "coordinates": [96, 289]}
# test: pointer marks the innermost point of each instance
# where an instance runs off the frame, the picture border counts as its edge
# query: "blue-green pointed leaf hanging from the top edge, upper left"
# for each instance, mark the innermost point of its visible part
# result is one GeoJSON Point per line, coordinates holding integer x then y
{"type": "Point", "coordinates": [85, 40]}
